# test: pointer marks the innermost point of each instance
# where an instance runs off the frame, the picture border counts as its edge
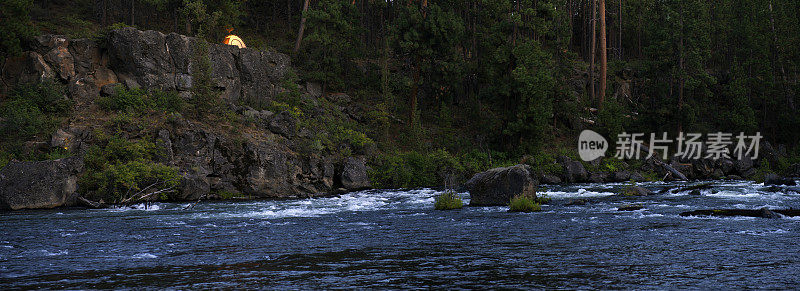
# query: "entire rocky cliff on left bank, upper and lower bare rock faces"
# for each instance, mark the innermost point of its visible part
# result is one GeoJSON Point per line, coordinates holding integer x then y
{"type": "Point", "coordinates": [267, 161]}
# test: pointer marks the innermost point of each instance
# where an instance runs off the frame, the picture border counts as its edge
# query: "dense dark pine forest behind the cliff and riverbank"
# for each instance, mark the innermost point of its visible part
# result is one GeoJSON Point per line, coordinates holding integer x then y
{"type": "Point", "coordinates": [498, 79]}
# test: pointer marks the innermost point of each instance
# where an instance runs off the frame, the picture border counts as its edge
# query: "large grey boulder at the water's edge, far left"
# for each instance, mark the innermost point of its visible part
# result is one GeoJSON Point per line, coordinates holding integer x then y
{"type": "Point", "coordinates": [46, 184]}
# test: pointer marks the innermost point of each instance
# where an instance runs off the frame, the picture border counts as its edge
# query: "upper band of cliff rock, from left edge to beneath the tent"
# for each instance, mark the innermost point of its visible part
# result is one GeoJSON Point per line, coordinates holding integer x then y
{"type": "Point", "coordinates": [148, 59]}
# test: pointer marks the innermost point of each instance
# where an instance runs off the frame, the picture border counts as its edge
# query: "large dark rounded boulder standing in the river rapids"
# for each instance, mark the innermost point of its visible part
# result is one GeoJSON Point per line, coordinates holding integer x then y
{"type": "Point", "coordinates": [497, 186]}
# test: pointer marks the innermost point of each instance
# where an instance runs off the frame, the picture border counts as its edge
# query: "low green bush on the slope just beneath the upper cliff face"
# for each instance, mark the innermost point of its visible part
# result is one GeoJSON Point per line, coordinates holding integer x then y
{"type": "Point", "coordinates": [138, 100]}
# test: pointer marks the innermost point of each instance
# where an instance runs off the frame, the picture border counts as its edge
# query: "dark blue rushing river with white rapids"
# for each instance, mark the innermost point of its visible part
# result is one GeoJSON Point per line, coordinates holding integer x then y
{"type": "Point", "coordinates": [394, 239]}
